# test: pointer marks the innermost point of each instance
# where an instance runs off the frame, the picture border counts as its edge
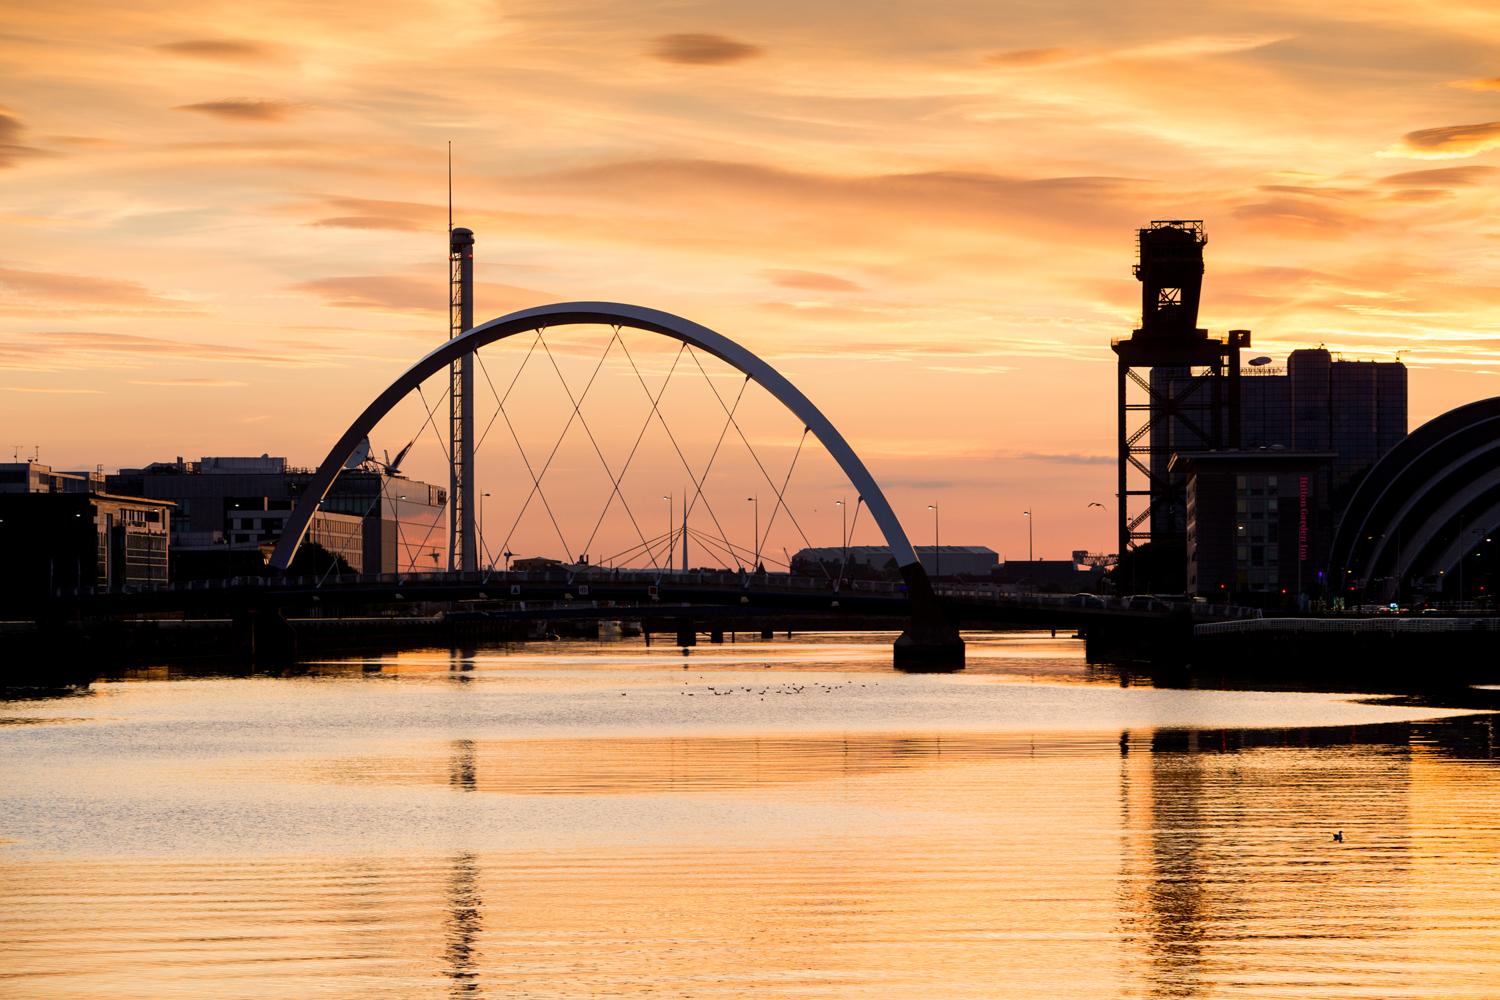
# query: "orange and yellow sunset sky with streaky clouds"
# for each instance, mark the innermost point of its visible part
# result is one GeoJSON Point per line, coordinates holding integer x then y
{"type": "Point", "coordinates": [224, 224]}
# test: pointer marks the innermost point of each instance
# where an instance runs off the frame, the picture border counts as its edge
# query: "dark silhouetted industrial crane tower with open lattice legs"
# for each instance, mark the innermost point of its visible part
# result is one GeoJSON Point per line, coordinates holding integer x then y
{"type": "Point", "coordinates": [1189, 398]}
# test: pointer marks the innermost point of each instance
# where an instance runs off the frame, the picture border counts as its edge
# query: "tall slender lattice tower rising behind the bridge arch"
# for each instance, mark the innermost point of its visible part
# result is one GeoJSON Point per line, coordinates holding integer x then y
{"type": "Point", "coordinates": [463, 555]}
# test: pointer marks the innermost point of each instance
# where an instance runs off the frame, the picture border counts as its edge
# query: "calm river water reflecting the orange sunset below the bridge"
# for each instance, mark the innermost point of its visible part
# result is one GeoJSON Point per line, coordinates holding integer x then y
{"type": "Point", "coordinates": [784, 819]}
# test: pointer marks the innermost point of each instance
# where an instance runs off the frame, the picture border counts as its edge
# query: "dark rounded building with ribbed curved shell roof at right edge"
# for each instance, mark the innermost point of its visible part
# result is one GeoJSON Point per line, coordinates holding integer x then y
{"type": "Point", "coordinates": [1427, 503]}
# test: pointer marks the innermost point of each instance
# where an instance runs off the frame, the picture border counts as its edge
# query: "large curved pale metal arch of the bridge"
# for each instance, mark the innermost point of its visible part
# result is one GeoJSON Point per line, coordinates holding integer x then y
{"type": "Point", "coordinates": [607, 314]}
